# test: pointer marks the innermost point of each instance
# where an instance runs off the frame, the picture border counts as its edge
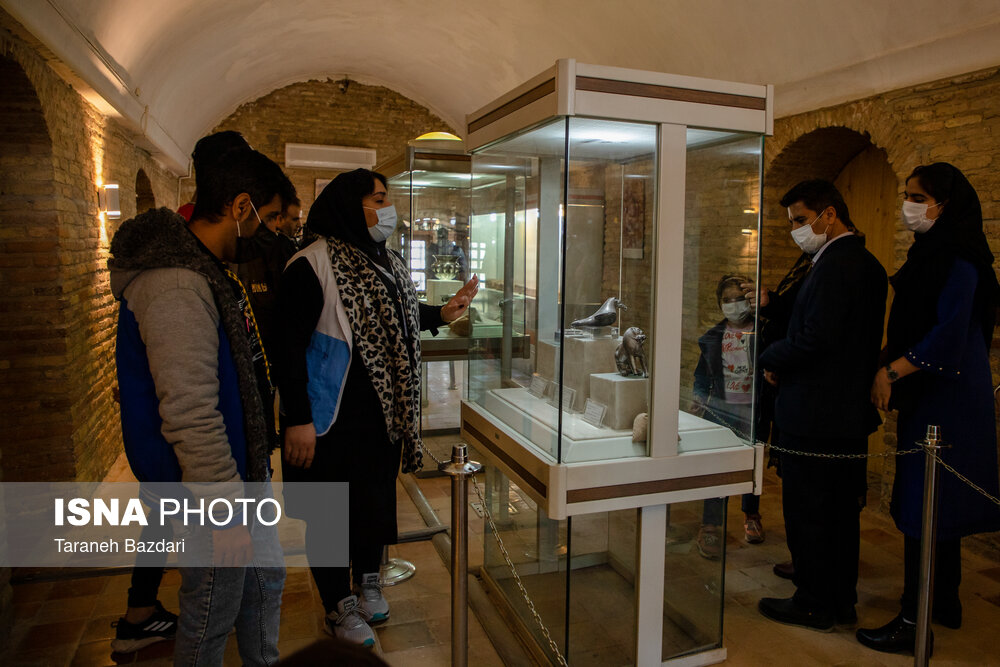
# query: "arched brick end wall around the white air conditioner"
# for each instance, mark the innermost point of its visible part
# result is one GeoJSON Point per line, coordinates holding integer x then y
{"type": "Point", "coordinates": [317, 112]}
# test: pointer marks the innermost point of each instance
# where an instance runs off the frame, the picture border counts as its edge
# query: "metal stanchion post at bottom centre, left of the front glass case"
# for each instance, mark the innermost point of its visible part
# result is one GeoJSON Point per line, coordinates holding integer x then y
{"type": "Point", "coordinates": [460, 468]}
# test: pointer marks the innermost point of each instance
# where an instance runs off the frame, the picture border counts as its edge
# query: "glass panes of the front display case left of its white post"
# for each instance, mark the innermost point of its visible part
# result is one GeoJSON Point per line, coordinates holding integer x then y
{"type": "Point", "coordinates": [565, 212]}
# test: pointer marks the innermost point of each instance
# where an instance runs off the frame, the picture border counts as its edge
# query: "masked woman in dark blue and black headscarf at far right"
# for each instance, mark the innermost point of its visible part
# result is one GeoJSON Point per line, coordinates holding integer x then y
{"type": "Point", "coordinates": [937, 371]}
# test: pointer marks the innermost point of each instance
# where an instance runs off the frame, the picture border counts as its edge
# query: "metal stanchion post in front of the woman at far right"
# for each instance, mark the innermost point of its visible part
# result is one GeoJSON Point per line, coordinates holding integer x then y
{"type": "Point", "coordinates": [932, 445]}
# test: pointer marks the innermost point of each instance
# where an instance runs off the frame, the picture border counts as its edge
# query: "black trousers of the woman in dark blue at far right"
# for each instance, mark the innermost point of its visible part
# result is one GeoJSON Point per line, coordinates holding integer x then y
{"type": "Point", "coordinates": [947, 577]}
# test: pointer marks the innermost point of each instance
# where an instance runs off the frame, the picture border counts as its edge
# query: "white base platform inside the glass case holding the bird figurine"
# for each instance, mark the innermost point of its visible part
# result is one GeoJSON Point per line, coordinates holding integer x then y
{"type": "Point", "coordinates": [538, 421]}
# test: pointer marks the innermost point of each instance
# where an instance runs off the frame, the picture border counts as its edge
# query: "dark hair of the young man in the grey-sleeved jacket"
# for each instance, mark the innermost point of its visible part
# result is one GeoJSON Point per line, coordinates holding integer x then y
{"type": "Point", "coordinates": [232, 174]}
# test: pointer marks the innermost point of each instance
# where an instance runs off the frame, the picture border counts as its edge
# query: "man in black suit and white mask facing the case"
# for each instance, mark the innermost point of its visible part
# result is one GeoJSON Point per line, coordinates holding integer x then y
{"type": "Point", "coordinates": [823, 369]}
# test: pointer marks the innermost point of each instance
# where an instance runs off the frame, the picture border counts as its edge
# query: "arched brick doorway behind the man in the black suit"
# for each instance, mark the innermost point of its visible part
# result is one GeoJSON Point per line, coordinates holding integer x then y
{"type": "Point", "coordinates": [862, 173]}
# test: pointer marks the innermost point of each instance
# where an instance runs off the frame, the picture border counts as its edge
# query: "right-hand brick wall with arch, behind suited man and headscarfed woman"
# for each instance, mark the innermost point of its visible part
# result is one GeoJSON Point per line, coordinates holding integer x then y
{"type": "Point", "coordinates": [955, 120]}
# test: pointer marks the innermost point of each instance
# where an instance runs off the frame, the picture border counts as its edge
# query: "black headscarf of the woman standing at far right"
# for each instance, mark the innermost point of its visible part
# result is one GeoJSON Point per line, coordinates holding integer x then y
{"type": "Point", "coordinates": [957, 234]}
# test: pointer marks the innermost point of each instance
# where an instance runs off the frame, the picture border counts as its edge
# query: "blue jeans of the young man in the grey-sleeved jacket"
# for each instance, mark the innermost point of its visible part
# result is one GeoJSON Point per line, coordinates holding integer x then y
{"type": "Point", "coordinates": [213, 600]}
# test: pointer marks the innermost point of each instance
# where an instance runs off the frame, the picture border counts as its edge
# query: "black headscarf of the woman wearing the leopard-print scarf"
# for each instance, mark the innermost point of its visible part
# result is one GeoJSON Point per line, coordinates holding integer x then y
{"type": "Point", "coordinates": [338, 213]}
